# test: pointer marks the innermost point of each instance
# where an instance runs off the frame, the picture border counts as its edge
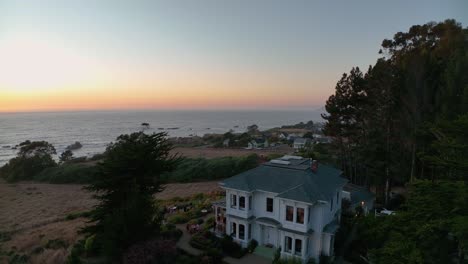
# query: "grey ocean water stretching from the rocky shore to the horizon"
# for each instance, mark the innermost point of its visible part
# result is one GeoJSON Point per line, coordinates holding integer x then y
{"type": "Point", "coordinates": [95, 130]}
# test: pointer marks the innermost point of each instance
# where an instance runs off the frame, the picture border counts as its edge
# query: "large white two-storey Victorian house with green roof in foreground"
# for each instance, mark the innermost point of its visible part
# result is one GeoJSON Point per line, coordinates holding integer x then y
{"type": "Point", "coordinates": [290, 203]}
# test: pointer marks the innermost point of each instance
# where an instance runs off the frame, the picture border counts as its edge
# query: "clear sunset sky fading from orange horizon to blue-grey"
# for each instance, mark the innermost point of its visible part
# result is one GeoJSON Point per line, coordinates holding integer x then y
{"type": "Point", "coordinates": [206, 54]}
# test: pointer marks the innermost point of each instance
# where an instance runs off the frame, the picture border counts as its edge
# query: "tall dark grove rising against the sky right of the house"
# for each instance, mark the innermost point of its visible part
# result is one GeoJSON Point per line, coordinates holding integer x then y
{"type": "Point", "coordinates": [380, 119]}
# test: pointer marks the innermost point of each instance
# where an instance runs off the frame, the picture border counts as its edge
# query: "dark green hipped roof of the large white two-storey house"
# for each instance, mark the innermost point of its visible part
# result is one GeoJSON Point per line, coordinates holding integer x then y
{"type": "Point", "coordinates": [290, 179]}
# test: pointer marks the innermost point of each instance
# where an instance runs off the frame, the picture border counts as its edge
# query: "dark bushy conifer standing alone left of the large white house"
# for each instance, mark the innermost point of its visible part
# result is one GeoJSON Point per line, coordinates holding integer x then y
{"type": "Point", "coordinates": [127, 179]}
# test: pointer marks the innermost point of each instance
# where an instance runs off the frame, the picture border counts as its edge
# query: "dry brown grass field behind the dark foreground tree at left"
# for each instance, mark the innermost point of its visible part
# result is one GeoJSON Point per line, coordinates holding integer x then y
{"type": "Point", "coordinates": [33, 217]}
